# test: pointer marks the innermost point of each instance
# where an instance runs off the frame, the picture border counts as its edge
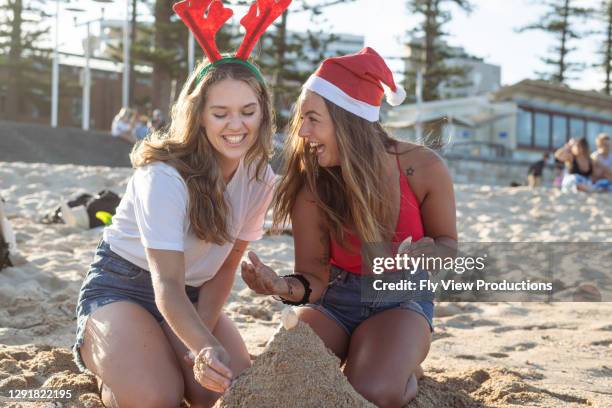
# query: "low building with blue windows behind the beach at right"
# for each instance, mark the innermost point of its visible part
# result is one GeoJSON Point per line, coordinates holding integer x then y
{"type": "Point", "coordinates": [492, 138]}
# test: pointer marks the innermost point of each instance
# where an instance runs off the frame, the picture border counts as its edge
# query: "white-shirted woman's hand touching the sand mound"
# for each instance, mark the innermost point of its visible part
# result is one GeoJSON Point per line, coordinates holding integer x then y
{"type": "Point", "coordinates": [211, 369]}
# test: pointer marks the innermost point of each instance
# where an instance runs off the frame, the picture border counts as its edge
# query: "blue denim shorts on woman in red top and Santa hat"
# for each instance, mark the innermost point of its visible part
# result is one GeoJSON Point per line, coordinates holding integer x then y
{"type": "Point", "coordinates": [345, 300]}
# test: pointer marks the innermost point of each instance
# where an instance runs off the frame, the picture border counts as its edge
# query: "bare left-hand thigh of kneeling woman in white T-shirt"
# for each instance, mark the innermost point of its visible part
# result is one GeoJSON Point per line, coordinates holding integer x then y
{"type": "Point", "coordinates": [125, 347]}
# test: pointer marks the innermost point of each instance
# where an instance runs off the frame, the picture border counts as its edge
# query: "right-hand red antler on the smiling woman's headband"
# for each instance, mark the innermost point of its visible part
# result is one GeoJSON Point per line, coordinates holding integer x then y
{"type": "Point", "coordinates": [261, 14]}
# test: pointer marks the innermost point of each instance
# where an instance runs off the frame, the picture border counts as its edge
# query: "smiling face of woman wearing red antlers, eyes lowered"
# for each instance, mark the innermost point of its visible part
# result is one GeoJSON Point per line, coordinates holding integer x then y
{"type": "Point", "coordinates": [231, 118]}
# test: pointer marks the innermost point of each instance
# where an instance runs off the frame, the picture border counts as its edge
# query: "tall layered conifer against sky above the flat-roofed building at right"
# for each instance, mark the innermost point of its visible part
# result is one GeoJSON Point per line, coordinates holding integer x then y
{"type": "Point", "coordinates": [560, 21]}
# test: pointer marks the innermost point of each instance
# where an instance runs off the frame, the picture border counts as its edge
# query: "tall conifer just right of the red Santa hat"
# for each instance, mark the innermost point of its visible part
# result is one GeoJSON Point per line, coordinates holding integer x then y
{"type": "Point", "coordinates": [429, 50]}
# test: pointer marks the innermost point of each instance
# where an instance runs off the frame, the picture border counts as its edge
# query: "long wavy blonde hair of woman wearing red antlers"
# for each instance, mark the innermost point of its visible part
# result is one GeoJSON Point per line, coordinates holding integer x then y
{"type": "Point", "coordinates": [185, 147]}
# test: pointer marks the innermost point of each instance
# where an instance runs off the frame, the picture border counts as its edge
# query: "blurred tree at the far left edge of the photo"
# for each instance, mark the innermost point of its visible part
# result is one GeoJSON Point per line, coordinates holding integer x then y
{"type": "Point", "coordinates": [27, 64]}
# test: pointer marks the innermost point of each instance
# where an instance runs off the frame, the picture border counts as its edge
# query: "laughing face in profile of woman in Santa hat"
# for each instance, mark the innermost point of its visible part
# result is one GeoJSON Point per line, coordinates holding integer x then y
{"type": "Point", "coordinates": [318, 130]}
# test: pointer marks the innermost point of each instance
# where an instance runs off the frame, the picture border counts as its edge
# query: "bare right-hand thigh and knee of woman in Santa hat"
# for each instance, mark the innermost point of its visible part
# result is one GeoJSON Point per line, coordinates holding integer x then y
{"type": "Point", "coordinates": [384, 355]}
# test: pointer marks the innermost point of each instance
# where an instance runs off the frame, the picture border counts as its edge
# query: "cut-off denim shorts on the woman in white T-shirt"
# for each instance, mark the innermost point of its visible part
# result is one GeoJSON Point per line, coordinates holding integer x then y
{"type": "Point", "coordinates": [112, 278]}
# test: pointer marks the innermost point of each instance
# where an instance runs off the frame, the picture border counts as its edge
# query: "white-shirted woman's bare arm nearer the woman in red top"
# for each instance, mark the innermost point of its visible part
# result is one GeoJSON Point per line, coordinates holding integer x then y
{"type": "Point", "coordinates": [215, 292]}
